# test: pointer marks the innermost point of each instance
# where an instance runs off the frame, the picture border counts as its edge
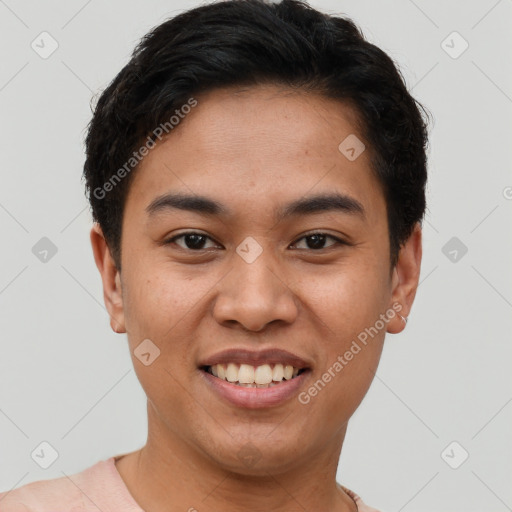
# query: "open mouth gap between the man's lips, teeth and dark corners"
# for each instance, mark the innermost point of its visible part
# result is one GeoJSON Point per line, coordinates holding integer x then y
{"type": "Point", "coordinates": [250, 376]}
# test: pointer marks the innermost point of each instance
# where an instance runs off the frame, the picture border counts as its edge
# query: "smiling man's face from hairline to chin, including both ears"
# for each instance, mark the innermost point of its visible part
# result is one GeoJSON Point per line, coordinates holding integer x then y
{"type": "Point", "coordinates": [276, 253]}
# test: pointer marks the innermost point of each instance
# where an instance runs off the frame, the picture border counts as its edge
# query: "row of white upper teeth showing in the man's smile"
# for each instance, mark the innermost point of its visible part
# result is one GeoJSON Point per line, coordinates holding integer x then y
{"type": "Point", "coordinates": [248, 374]}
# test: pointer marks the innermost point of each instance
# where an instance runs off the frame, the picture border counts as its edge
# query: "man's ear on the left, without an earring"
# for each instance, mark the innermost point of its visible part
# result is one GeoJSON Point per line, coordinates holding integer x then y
{"type": "Point", "coordinates": [111, 278]}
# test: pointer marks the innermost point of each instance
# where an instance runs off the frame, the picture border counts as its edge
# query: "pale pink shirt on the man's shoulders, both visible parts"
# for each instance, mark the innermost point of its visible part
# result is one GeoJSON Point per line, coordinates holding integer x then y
{"type": "Point", "coordinates": [99, 487]}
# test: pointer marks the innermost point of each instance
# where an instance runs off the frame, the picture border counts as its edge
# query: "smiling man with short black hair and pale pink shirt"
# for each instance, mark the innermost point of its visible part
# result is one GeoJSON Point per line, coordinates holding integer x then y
{"type": "Point", "coordinates": [257, 175]}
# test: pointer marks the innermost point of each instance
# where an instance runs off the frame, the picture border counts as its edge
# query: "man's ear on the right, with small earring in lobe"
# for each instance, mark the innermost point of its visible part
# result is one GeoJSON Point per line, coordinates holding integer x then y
{"type": "Point", "coordinates": [405, 280]}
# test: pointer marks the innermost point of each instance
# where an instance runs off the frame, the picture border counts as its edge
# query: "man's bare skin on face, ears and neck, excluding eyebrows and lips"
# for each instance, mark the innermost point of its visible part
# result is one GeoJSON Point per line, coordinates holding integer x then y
{"type": "Point", "coordinates": [253, 150]}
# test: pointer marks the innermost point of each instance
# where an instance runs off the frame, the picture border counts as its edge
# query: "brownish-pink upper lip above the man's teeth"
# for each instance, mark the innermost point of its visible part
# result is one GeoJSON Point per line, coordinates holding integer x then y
{"type": "Point", "coordinates": [255, 358]}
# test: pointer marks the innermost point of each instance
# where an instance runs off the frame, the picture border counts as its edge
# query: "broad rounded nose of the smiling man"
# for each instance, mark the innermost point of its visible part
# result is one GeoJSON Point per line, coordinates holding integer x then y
{"type": "Point", "coordinates": [255, 294]}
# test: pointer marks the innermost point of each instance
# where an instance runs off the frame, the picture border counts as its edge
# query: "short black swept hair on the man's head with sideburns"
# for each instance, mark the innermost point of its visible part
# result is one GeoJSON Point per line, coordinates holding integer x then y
{"type": "Point", "coordinates": [252, 42]}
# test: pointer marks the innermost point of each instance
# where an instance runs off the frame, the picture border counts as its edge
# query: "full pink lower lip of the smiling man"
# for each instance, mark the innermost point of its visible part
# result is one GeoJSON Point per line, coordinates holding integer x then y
{"type": "Point", "coordinates": [255, 398]}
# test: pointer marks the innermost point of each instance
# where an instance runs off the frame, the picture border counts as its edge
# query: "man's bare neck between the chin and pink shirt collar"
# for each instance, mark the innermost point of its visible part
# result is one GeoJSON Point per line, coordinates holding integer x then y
{"type": "Point", "coordinates": [169, 471]}
